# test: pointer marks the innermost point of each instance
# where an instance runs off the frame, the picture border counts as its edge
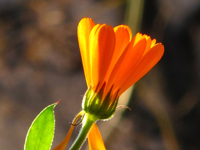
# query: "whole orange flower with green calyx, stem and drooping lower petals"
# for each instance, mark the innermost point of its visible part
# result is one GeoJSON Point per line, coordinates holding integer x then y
{"type": "Point", "coordinates": [112, 62]}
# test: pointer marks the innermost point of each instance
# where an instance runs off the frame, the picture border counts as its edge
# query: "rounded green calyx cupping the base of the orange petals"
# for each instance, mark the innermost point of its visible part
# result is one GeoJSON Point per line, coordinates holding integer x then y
{"type": "Point", "coordinates": [94, 104]}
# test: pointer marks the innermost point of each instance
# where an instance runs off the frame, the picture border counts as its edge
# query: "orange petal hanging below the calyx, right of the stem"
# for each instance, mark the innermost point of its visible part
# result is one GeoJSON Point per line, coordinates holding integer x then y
{"type": "Point", "coordinates": [95, 141]}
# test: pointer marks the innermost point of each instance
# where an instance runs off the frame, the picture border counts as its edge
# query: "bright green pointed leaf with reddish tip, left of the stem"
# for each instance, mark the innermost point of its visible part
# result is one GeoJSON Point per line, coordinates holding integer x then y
{"type": "Point", "coordinates": [41, 131]}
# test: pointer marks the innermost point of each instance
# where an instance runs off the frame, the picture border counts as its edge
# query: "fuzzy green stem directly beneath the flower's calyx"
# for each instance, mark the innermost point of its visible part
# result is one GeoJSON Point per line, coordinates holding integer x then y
{"type": "Point", "coordinates": [88, 121]}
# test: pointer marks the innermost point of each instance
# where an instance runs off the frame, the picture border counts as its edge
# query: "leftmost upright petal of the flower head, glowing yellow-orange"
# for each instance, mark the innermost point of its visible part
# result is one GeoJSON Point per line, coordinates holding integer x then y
{"type": "Point", "coordinates": [84, 28]}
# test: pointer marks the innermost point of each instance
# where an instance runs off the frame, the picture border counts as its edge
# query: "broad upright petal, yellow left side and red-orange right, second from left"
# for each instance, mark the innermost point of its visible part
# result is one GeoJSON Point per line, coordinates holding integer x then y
{"type": "Point", "coordinates": [102, 44]}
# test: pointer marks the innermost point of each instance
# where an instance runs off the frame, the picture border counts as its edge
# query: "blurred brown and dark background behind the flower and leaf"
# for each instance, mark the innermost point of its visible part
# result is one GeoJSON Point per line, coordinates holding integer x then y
{"type": "Point", "coordinates": [40, 63]}
